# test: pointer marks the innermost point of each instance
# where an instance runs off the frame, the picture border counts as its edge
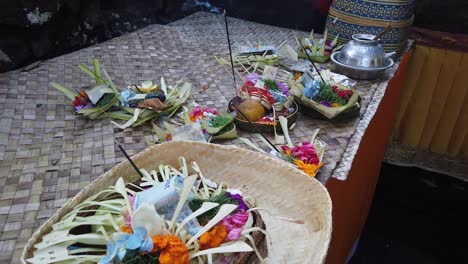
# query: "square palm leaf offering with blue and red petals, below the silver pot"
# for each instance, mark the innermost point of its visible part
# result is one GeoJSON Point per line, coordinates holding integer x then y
{"type": "Point", "coordinates": [329, 97]}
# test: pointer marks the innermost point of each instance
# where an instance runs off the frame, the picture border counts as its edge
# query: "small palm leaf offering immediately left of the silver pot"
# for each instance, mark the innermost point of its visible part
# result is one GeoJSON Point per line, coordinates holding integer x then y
{"type": "Point", "coordinates": [319, 49]}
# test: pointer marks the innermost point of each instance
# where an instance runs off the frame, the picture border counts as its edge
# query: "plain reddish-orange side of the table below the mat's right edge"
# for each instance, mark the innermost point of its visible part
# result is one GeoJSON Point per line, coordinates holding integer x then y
{"type": "Point", "coordinates": [352, 198]}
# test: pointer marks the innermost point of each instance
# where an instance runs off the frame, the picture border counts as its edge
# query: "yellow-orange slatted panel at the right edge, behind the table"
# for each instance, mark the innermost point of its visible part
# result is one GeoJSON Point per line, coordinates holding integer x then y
{"type": "Point", "coordinates": [433, 113]}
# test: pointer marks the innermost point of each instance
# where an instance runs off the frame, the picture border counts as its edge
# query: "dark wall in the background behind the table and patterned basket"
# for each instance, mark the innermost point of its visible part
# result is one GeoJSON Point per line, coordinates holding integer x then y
{"type": "Point", "coordinates": [34, 30]}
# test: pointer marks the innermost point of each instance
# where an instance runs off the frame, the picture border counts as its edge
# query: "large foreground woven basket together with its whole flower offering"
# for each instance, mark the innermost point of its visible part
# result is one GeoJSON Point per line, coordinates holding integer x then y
{"type": "Point", "coordinates": [194, 203]}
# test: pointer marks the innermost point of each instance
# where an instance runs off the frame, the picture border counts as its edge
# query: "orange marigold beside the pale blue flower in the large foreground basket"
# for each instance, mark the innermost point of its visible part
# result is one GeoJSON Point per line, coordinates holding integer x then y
{"type": "Point", "coordinates": [171, 250]}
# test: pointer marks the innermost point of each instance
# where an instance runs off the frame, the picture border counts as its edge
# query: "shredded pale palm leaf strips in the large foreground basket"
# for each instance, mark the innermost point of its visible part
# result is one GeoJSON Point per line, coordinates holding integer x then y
{"type": "Point", "coordinates": [82, 234]}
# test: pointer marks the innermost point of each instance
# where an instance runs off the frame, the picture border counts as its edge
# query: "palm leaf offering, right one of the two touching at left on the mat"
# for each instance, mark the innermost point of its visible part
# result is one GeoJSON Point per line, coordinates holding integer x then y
{"type": "Point", "coordinates": [148, 101]}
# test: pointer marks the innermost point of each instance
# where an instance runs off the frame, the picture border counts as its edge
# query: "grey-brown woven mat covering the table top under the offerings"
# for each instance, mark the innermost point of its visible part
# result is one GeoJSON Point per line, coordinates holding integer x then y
{"type": "Point", "coordinates": [47, 154]}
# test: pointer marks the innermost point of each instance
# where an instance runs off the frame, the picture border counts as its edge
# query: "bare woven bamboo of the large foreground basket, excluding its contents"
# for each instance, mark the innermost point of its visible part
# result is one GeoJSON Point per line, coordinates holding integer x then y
{"type": "Point", "coordinates": [277, 186]}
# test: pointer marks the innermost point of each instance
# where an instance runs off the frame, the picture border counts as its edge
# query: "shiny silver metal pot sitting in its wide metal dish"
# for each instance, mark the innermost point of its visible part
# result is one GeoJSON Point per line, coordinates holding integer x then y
{"type": "Point", "coordinates": [362, 58]}
